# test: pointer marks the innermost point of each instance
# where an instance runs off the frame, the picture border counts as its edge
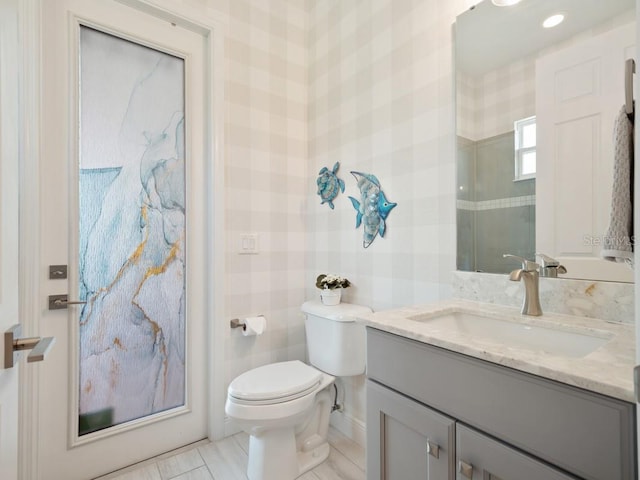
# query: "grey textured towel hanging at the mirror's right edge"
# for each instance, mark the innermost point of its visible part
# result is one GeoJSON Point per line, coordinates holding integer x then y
{"type": "Point", "coordinates": [617, 242]}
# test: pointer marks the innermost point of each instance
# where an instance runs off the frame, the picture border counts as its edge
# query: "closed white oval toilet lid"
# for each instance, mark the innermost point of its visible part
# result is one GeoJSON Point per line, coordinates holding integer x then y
{"type": "Point", "coordinates": [275, 381]}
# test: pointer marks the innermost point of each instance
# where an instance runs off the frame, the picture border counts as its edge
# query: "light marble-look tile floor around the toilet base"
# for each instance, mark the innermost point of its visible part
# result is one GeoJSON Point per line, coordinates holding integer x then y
{"type": "Point", "coordinates": [227, 460]}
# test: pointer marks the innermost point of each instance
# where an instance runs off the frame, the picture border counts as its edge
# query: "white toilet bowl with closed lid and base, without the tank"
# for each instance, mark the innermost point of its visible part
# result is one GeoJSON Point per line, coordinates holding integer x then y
{"type": "Point", "coordinates": [286, 417]}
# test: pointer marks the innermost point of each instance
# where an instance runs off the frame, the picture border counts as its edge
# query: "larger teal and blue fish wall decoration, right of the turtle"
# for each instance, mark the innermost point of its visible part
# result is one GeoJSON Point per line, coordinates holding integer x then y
{"type": "Point", "coordinates": [373, 207]}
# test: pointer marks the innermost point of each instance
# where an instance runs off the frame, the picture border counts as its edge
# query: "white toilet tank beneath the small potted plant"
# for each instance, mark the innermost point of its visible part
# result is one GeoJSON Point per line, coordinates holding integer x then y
{"type": "Point", "coordinates": [335, 342]}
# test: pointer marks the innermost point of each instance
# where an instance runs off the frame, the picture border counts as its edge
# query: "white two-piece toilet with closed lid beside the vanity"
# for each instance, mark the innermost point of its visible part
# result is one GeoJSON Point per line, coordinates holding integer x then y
{"type": "Point", "coordinates": [285, 406]}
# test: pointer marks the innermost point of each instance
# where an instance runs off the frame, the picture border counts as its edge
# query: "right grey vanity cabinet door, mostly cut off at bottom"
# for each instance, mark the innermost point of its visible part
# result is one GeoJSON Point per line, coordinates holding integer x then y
{"type": "Point", "coordinates": [479, 457]}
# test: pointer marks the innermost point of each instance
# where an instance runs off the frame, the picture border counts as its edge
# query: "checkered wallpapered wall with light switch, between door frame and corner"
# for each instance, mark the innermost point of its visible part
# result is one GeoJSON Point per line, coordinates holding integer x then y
{"type": "Point", "coordinates": [266, 104]}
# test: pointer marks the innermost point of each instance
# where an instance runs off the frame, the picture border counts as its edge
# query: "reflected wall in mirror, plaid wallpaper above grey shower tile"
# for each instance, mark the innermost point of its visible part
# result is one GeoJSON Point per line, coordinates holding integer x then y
{"type": "Point", "coordinates": [490, 221]}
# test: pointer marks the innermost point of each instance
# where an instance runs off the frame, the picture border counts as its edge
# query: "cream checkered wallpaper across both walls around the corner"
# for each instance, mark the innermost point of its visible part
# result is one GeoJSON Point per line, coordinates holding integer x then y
{"type": "Point", "coordinates": [310, 82]}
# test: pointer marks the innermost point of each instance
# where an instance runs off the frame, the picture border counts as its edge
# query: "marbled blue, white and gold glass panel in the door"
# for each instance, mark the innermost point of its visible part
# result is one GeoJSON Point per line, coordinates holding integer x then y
{"type": "Point", "coordinates": [132, 231]}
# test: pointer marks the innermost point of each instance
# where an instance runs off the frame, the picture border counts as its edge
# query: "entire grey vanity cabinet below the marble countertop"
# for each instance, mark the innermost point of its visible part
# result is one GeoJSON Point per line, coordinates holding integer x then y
{"type": "Point", "coordinates": [431, 412]}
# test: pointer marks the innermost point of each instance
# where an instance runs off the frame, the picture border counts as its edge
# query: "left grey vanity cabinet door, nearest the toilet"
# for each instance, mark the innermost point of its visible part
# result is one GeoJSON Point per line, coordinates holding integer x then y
{"type": "Point", "coordinates": [405, 439]}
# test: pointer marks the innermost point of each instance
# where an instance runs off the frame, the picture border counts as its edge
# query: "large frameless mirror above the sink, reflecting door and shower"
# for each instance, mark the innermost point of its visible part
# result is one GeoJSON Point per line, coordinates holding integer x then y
{"type": "Point", "coordinates": [535, 113]}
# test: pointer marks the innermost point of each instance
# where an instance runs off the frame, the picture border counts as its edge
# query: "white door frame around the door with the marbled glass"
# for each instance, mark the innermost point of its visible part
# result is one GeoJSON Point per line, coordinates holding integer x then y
{"type": "Point", "coordinates": [32, 300]}
